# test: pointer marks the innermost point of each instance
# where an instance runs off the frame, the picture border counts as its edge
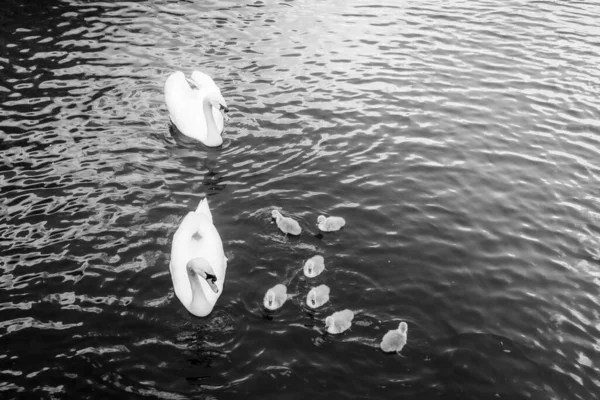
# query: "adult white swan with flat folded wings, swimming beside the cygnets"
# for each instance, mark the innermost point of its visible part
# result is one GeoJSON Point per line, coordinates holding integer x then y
{"type": "Point", "coordinates": [198, 263]}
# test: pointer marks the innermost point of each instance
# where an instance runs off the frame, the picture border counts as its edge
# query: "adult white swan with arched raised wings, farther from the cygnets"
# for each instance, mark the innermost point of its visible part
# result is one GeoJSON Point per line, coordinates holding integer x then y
{"type": "Point", "coordinates": [195, 106]}
